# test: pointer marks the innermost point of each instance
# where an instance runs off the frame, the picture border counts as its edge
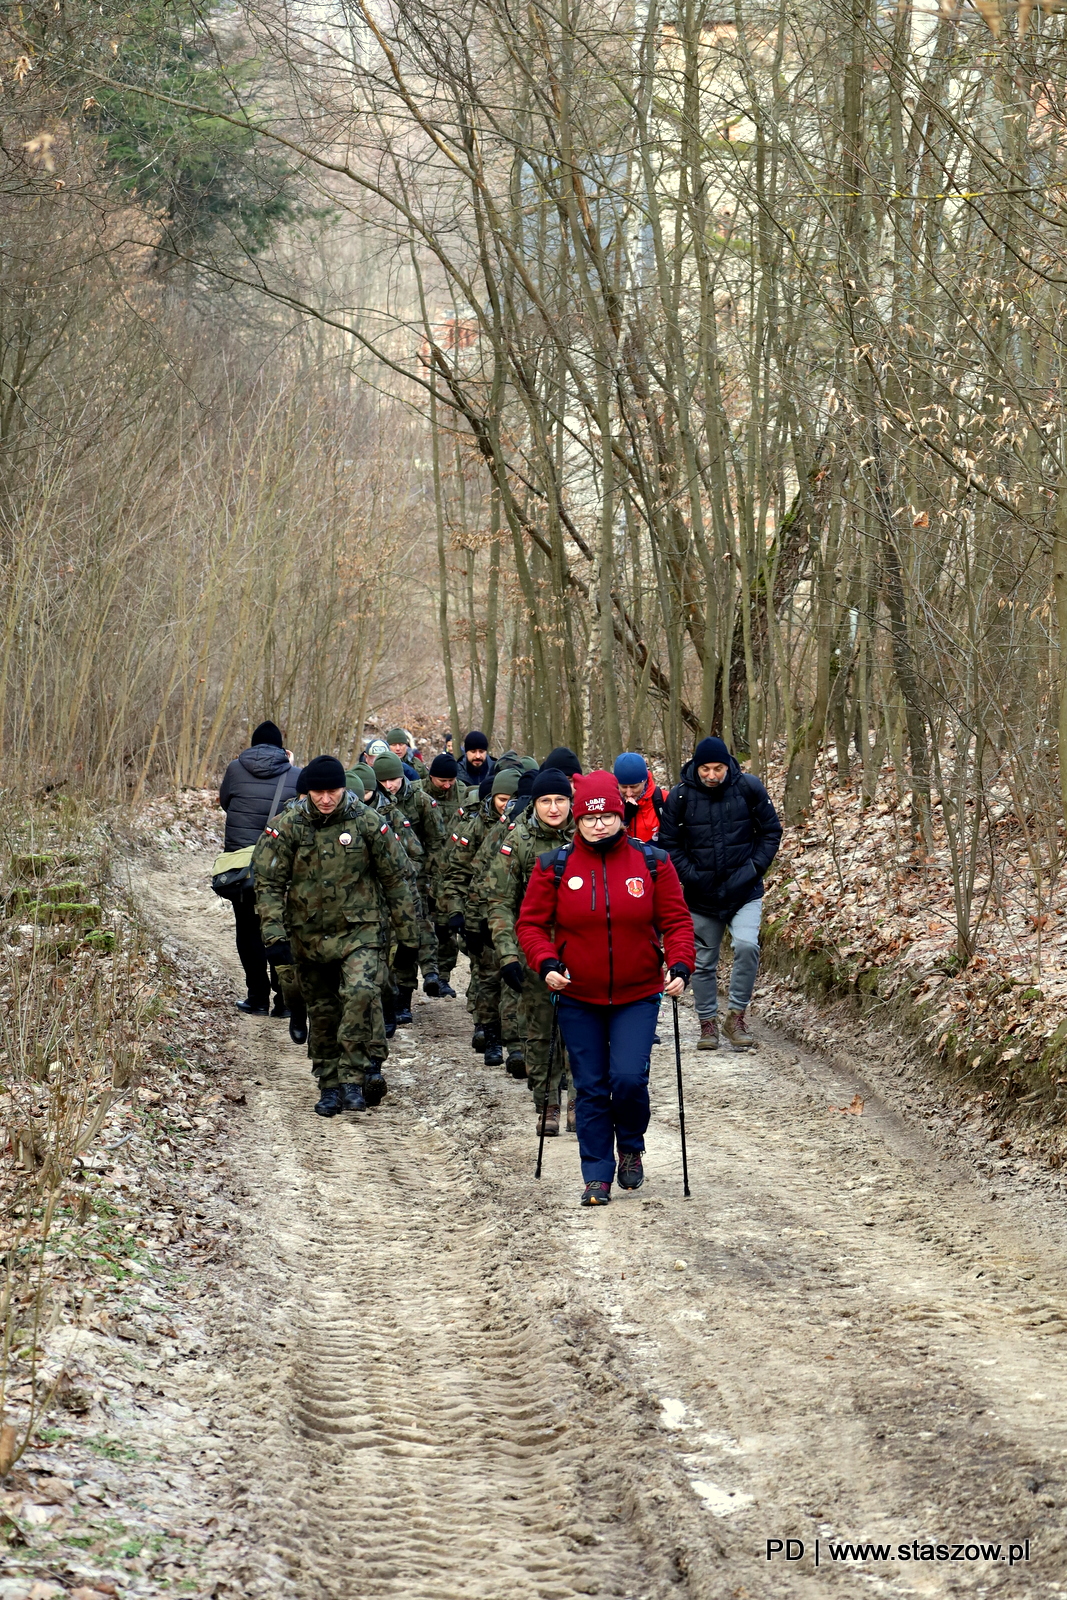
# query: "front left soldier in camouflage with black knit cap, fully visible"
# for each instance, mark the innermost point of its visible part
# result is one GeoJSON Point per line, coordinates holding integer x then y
{"type": "Point", "coordinates": [321, 881]}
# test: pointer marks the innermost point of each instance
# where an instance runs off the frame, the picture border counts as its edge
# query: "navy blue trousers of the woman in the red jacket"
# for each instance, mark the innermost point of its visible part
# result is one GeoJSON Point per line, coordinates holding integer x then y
{"type": "Point", "coordinates": [610, 1049]}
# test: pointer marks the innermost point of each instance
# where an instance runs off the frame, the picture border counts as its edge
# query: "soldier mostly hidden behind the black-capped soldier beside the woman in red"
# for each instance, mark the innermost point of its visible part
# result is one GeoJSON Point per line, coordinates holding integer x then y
{"type": "Point", "coordinates": [466, 881]}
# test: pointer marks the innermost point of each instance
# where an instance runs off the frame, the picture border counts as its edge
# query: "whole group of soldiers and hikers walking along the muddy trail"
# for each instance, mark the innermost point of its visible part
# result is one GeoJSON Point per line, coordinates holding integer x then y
{"type": "Point", "coordinates": [580, 900]}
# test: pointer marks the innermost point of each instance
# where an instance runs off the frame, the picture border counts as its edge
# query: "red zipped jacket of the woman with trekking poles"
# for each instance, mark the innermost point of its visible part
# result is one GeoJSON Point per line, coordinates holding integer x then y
{"type": "Point", "coordinates": [607, 922]}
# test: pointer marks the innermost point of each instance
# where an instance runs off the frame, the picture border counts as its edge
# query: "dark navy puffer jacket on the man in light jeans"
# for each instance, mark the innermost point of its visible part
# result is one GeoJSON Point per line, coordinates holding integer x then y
{"type": "Point", "coordinates": [722, 841]}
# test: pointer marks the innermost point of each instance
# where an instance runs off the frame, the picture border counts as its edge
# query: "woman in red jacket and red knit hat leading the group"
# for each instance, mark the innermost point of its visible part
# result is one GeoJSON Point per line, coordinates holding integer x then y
{"type": "Point", "coordinates": [591, 924]}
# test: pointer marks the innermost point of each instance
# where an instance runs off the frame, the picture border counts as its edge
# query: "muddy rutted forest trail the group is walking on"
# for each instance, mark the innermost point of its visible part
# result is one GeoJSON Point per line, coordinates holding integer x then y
{"type": "Point", "coordinates": [460, 1385]}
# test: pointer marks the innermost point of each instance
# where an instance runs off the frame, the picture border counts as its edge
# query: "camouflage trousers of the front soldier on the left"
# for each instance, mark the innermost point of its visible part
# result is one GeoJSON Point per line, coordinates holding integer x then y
{"type": "Point", "coordinates": [346, 1030]}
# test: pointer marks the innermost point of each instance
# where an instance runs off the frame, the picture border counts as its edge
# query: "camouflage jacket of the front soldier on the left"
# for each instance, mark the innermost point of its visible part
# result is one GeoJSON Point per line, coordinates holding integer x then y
{"type": "Point", "coordinates": [321, 881]}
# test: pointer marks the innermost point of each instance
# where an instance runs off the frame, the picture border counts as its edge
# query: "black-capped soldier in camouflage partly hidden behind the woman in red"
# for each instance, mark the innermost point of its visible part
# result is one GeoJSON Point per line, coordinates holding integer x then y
{"type": "Point", "coordinates": [545, 826]}
